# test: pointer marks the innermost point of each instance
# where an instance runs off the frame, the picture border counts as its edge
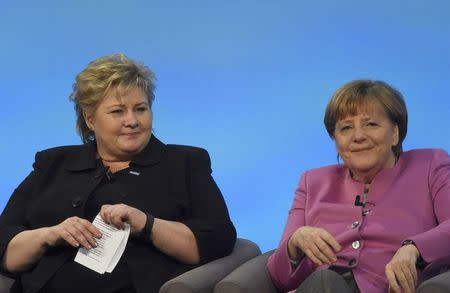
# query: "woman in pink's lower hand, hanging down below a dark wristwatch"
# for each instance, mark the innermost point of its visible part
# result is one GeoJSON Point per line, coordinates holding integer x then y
{"type": "Point", "coordinates": [401, 271]}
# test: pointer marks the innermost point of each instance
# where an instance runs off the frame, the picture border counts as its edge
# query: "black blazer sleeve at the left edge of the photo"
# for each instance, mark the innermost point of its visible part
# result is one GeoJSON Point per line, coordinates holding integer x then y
{"type": "Point", "coordinates": [13, 218]}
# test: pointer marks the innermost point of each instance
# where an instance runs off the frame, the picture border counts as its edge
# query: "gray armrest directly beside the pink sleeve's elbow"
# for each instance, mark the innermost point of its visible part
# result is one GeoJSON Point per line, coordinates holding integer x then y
{"type": "Point", "coordinates": [252, 276]}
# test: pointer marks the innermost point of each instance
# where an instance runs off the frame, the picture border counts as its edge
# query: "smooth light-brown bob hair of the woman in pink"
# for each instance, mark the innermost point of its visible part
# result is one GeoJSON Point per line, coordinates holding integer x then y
{"type": "Point", "coordinates": [348, 99]}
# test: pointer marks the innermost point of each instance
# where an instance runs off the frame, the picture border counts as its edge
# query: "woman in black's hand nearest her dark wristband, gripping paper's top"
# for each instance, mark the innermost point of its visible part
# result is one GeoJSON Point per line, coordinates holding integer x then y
{"type": "Point", "coordinates": [119, 214]}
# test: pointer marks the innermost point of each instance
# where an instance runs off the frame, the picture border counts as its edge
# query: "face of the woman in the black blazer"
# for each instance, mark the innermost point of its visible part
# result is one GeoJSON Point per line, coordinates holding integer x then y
{"type": "Point", "coordinates": [122, 124]}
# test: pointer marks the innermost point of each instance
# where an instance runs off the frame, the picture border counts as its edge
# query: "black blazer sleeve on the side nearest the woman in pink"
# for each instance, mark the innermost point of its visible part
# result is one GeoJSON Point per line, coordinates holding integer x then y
{"type": "Point", "coordinates": [209, 219]}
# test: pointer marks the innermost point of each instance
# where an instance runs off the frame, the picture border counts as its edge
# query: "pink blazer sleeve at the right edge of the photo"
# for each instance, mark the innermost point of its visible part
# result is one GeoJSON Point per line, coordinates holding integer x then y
{"type": "Point", "coordinates": [434, 243]}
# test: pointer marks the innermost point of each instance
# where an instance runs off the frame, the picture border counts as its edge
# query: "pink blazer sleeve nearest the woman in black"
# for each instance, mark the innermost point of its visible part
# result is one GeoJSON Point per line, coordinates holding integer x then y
{"type": "Point", "coordinates": [284, 275]}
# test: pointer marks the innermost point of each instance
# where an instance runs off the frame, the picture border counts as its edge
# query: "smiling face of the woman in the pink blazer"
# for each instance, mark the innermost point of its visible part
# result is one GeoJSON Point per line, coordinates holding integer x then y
{"type": "Point", "coordinates": [365, 141]}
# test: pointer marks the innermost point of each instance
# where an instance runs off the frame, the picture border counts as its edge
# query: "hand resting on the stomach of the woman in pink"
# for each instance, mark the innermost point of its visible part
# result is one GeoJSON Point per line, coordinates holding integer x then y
{"type": "Point", "coordinates": [316, 243]}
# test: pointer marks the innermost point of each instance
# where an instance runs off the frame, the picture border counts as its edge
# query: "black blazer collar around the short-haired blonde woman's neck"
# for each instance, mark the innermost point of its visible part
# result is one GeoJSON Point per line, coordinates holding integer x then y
{"type": "Point", "coordinates": [84, 158]}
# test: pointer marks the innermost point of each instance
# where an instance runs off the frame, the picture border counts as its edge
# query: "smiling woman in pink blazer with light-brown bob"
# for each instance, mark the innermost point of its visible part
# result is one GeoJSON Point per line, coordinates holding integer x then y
{"type": "Point", "coordinates": [370, 224]}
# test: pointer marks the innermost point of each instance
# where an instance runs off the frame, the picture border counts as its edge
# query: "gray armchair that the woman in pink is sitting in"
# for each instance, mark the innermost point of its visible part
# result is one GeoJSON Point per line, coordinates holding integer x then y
{"type": "Point", "coordinates": [253, 276]}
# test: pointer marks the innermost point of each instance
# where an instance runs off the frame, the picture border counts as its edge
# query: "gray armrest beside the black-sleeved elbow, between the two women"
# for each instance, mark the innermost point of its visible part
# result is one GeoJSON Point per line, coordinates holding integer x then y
{"type": "Point", "coordinates": [204, 278]}
